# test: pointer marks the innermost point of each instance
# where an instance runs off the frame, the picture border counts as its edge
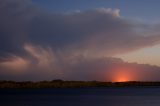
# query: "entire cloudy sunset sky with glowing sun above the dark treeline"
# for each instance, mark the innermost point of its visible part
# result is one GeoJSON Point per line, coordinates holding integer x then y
{"type": "Point", "coordinates": [104, 40]}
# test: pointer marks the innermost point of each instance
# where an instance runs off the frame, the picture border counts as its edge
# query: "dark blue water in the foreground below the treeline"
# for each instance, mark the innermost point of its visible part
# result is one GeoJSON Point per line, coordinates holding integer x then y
{"type": "Point", "coordinates": [81, 97]}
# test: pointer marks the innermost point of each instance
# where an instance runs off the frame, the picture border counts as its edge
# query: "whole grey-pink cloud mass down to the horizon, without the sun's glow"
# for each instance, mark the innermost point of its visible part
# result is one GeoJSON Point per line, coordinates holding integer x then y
{"type": "Point", "coordinates": [70, 45]}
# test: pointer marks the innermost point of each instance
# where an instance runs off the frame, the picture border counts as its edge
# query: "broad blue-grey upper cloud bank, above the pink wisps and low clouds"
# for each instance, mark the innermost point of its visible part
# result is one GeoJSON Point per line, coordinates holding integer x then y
{"type": "Point", "coordinates": [93, 32]}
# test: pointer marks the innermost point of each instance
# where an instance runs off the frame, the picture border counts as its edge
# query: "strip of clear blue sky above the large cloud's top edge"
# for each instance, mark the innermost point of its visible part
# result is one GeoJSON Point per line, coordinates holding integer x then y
{"type": "Point", "coordinates": [146, 10]}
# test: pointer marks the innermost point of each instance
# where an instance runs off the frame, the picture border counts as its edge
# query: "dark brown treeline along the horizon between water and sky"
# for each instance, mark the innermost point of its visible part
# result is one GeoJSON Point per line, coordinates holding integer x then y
{"type": "Point", "coordinates": [74, 84]}
